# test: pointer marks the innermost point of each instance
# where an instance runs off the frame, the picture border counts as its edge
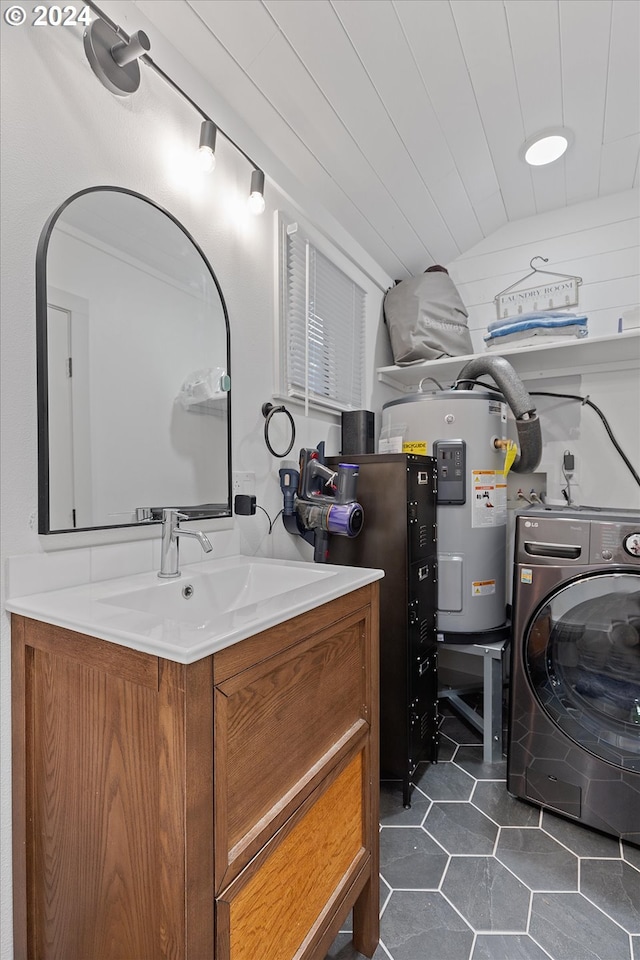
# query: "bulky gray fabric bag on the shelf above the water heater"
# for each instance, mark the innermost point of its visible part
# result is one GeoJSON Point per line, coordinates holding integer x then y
{"type": "Point", "coordinates": [426, 319]}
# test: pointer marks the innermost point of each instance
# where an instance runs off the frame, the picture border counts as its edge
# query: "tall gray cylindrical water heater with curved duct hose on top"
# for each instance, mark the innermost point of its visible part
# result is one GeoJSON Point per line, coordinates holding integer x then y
{"type": "Point", "coordinates": [465, 431]}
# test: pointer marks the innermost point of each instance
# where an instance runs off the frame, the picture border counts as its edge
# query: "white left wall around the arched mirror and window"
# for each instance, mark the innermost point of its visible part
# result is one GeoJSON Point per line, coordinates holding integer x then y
{"type": "Point", "coordinates": [62, 132]}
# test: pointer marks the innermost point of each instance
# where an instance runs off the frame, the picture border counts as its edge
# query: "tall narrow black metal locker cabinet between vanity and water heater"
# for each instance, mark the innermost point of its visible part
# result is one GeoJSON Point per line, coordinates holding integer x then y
{"type": "Point", "coordinates": [398, 495]}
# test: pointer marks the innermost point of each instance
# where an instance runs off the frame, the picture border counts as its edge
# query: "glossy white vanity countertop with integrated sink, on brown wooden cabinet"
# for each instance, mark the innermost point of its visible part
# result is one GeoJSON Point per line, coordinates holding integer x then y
{"type": "Point", "coordinates": [107, 609]}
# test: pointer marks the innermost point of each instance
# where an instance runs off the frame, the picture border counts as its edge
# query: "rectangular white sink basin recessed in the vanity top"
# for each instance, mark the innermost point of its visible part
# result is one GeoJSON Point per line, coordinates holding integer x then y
{"type": "Point", "coordinates": [198, 598]}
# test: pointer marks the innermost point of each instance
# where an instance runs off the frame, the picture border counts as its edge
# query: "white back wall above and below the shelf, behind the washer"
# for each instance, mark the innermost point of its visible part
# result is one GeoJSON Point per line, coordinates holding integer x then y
{"type": "Point", "coordinates": [600, 242]}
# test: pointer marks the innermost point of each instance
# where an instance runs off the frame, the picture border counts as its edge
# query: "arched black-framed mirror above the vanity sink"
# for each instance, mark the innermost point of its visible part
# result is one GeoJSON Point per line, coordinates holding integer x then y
{"type": "Point", "coordinates": [133, 368]}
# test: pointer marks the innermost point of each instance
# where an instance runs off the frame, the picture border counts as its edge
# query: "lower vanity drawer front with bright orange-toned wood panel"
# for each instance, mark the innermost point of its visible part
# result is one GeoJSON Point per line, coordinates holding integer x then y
{"type": "Point", "coordinates": [277, 906]}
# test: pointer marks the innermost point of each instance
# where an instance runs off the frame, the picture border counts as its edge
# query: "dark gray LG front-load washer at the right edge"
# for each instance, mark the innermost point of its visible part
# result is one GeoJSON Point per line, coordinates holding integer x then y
{"type": "Point", "coordinates": [574, 718]}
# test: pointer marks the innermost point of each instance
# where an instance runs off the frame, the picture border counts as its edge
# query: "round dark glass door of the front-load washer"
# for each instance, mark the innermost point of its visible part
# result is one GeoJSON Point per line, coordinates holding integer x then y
{"type": "Point", "coordinates": [582, 655]}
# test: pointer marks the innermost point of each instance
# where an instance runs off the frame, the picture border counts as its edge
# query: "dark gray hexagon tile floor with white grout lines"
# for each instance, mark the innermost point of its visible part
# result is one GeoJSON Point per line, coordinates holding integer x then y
{"type": "Point", "coordinates": [471, 873]}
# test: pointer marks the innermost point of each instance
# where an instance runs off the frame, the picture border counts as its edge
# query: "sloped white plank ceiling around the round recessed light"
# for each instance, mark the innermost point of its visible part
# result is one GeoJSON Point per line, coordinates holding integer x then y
{"type": "Point", "coordinates": [406, 117]}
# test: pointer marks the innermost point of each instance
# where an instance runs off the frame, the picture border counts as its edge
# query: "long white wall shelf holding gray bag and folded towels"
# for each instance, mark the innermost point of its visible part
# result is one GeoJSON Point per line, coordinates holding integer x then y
{"type": "Point", "coordinates": [558, 359]}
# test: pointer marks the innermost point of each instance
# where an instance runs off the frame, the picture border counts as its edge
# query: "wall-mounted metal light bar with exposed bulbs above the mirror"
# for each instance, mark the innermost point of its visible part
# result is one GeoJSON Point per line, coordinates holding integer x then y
{"type": "Point", "coordinates": [114, 55]}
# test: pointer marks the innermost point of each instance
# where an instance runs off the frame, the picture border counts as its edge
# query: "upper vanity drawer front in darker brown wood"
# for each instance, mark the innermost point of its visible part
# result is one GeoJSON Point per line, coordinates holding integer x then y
{"type": "Point", "coordinates": [298, 711]}
